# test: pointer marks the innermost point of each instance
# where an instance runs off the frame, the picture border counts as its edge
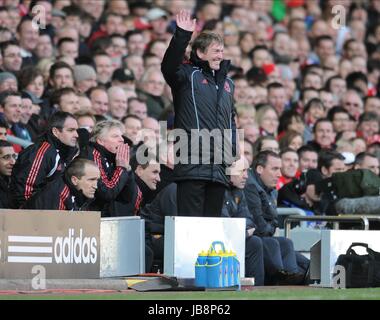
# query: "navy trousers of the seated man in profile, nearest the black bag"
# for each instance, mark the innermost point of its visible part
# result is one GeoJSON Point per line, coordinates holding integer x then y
{"type": "Point", "coordinates": [279, 255]}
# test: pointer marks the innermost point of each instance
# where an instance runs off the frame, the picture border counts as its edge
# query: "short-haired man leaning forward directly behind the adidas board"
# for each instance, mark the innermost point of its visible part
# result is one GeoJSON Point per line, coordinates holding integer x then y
{"type": "Point", "coordinates": [73, 191]}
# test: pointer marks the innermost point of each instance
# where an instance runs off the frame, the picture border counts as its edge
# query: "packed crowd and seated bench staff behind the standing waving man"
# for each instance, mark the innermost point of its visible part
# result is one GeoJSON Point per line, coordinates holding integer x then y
{"type": "Point", "coordinates": [81, 90]}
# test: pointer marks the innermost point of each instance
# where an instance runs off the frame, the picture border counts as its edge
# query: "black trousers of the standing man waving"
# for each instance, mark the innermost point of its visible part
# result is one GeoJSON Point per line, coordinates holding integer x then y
{"type": "Point", "coordinates": [199, 198]}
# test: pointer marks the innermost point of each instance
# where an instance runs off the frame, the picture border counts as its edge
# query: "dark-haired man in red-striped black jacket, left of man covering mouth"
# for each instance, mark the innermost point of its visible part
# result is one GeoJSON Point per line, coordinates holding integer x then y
{"type": "Point", "coordinates": [41, 162]}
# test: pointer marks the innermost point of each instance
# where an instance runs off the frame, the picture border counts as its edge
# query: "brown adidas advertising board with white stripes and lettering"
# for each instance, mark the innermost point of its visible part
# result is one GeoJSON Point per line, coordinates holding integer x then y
{"type": "Point", "coordinates": [66, 244]}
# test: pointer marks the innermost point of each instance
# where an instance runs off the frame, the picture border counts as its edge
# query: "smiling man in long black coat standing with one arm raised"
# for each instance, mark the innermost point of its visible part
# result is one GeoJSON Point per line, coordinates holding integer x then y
{"type": "Point", "coordinates": [203, 103]}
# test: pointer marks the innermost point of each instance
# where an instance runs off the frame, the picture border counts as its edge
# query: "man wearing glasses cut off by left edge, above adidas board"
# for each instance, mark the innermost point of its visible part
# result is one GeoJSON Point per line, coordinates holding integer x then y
{"type": "Point", "coordinates": [7, 161]}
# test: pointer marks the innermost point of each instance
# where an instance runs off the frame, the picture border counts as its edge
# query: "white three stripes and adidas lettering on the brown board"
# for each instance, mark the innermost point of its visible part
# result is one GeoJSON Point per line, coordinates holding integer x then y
{"type": "Point", "coordinates": [71, 249]}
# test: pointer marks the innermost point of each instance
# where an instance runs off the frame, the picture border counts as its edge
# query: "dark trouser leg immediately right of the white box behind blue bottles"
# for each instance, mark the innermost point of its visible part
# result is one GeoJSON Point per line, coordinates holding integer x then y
{"type": "Point", "coordinates": [254, 259]}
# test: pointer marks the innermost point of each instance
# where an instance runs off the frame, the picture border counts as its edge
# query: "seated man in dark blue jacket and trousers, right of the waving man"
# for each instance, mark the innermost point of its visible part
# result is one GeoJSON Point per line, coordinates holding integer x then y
{"type": "Point", "coordinates": [282, 264]}
